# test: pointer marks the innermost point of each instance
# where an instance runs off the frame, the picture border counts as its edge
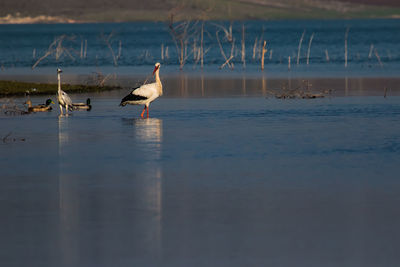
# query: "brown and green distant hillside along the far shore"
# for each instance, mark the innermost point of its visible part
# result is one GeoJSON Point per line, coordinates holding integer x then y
{"type": "Point", "coordinates": [136, 10]}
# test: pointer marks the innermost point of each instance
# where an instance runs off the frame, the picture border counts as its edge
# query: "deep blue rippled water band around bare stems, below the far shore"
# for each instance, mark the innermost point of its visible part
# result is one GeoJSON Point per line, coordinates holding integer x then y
{"type": "Point", "coordinates": [141, 46]}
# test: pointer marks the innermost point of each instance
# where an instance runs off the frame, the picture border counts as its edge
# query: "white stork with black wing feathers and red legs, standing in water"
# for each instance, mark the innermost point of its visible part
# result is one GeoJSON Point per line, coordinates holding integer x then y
{"type": "Point", "coordinates": [145, 94]}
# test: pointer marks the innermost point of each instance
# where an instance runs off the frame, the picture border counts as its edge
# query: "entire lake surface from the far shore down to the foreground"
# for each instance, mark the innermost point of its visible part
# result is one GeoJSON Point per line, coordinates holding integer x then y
{"type": "Point", "coordinates": [221, 174]}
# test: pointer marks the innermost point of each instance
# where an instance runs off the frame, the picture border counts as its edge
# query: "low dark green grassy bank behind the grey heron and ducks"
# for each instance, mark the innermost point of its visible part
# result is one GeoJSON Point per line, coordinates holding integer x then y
{"type": "Point", "coordinates": [14, 88]}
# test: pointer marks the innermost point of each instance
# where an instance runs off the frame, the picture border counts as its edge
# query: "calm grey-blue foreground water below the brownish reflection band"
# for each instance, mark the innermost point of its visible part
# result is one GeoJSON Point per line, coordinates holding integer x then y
{"type": "Point", "coordinates": [229, 181]}
